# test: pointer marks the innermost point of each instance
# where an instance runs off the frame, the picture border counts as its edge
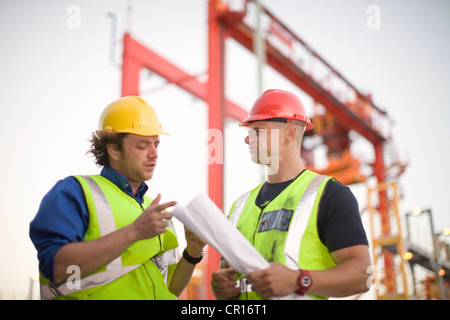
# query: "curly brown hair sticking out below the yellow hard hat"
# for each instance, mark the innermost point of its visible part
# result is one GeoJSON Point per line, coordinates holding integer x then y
{"type": "Point", "coordinates": [99, 143]}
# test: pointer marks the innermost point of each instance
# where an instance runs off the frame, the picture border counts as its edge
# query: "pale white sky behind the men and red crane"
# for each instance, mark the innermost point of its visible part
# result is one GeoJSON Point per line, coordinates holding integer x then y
{"type": "Point", "coordinates": [54, 82]}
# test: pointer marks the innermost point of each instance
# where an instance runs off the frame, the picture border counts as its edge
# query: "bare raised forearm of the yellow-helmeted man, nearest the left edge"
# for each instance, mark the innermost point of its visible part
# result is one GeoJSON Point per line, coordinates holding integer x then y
{"type": "Point", "coordinates": [91, 255]}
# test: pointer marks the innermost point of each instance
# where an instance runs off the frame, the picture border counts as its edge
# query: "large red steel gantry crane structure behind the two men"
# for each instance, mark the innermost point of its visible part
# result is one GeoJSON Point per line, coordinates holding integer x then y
{"type": "Point", "coordinates": [340, 108]}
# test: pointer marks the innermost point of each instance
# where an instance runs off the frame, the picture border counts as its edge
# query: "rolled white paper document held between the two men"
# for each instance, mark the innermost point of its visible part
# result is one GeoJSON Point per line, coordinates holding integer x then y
{"type": "Point", "coordinates": [205, 219]}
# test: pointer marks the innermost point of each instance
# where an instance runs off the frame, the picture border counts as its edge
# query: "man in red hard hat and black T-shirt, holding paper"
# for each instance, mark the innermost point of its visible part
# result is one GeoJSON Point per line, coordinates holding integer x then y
{"type": "Point", "coordinates": [306, 225]}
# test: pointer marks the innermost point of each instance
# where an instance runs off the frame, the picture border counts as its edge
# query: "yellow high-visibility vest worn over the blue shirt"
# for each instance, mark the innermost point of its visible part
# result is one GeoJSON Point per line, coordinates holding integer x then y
{"type": "Point", "coordinates": [142, 271]}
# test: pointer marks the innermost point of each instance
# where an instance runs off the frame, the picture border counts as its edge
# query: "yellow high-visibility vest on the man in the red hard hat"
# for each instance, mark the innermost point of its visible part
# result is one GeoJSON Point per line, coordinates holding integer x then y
{"type": "Point", "coordinates": [285, 231]}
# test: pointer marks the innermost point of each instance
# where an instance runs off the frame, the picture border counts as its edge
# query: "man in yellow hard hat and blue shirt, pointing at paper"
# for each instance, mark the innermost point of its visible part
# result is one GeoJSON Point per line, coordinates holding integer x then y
{"type": "Point", "coordinates": [100, 236]}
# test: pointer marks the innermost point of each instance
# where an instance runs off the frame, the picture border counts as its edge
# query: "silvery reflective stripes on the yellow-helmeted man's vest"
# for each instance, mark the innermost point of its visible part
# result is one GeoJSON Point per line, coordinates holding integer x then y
{"type": "Point", "coordinates": [114, 269]}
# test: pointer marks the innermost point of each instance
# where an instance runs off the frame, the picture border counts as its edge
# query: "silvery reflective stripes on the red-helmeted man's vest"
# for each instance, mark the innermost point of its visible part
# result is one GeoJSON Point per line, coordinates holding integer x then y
{"type": "Point", "coordinates": [295, 232]}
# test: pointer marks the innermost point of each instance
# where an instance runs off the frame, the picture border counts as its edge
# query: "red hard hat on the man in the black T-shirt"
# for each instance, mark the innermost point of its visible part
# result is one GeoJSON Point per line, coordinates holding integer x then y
{"type": "Point", "coordinates": [275, 104]}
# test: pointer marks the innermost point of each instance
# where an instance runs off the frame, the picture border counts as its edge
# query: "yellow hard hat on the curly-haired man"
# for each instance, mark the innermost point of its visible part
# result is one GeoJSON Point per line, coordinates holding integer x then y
{"type": "Point", "coordinates": [131, 114]}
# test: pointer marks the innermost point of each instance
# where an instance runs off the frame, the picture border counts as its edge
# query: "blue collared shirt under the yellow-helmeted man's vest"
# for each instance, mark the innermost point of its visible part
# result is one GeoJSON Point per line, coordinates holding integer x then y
{"type": "Point", "coordinates": [63, 217]}
